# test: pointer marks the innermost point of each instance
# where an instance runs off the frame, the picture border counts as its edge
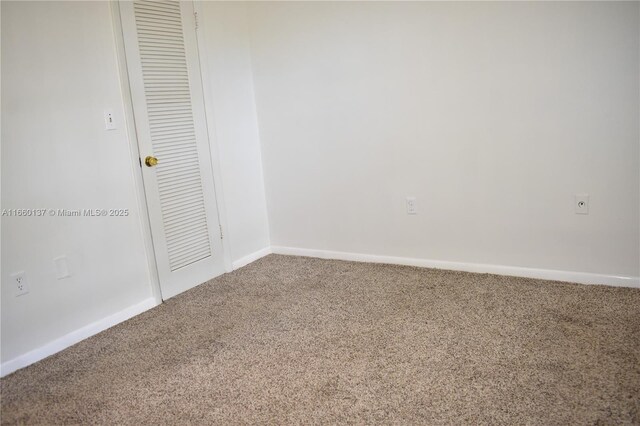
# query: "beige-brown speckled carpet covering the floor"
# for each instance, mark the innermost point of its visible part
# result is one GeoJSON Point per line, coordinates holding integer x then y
{"type": "Point", "coordinates": [290, 340]}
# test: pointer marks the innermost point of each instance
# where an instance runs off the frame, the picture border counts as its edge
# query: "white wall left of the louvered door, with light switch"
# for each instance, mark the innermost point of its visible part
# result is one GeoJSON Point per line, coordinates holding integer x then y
{"type": "Point", "coordinates": [59, 72]}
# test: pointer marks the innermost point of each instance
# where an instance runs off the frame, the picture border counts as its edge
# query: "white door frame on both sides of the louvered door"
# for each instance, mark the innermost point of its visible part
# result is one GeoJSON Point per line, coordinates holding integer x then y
{"type": "Point", "coordinates": [129, 125]}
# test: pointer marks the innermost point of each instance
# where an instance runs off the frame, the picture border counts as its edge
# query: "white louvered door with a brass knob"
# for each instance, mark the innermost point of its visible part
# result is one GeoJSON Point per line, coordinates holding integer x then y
{"type": "Point", "coordinates": [168, 105]}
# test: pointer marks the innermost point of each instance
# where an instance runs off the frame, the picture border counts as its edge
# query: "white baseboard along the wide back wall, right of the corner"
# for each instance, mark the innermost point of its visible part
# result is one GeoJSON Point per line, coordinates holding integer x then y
{"type": "Point", "coordinates": [545, 274]}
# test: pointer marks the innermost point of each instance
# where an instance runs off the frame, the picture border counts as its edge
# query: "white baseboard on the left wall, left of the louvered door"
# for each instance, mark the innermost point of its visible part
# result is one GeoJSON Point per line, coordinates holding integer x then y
{"type": "Point", "coordinates": [75, 337]}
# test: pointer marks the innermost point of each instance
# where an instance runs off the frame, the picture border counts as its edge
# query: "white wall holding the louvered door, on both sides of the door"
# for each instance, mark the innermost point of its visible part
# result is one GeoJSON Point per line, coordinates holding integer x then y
{"type": "Point", "coordinates": [59, 72]}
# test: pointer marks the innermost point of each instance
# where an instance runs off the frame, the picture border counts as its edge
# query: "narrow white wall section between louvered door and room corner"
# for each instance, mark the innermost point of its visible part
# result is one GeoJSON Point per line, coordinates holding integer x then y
{"type": "Point", "coordinates": [227, 58]}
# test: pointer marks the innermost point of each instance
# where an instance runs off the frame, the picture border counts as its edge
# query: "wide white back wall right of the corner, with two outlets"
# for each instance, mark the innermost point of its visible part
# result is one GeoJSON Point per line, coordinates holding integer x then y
{"type": "Point", "coordinates": [493, 114]}
